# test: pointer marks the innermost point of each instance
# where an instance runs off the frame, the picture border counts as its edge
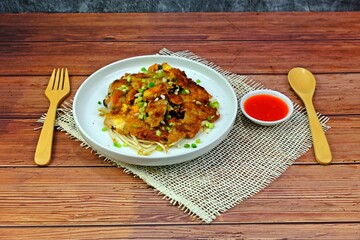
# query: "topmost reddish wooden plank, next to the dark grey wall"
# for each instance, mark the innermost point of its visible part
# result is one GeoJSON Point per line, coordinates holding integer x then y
{"type": "Point", "coordinates": [167, 27]}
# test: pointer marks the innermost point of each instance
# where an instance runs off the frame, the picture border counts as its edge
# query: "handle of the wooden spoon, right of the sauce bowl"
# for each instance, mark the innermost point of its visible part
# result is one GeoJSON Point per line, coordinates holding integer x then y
{"type": "Point", "coordinates": [321, 145]}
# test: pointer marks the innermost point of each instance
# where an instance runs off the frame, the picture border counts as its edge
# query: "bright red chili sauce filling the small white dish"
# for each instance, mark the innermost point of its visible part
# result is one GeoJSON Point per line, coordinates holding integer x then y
{"type": "Point", "coordinates": [266, 107]}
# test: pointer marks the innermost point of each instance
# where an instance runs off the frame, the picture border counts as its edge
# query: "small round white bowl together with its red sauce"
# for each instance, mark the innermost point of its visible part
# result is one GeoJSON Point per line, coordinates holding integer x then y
{"type": "Point", "coordinates": [266, 107]}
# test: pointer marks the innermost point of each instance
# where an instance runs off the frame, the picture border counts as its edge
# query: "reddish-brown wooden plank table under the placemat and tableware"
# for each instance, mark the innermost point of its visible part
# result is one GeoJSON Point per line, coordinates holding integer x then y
{"type": "Point", "coordinates": [80, 197]}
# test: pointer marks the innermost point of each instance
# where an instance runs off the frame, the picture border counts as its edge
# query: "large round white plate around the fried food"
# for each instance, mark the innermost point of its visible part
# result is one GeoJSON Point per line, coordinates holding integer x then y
{"type": "Point", "coordinates": [95, 87]}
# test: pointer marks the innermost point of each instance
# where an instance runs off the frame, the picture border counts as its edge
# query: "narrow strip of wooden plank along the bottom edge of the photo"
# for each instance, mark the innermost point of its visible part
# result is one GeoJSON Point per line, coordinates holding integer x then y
{"type": "Point", "coordinates": [235, 231]}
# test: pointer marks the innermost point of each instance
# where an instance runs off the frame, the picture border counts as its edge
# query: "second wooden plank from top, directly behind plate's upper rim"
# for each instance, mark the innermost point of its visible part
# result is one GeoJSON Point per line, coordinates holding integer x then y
{"type": "Point", "coordinates": [242, 57]}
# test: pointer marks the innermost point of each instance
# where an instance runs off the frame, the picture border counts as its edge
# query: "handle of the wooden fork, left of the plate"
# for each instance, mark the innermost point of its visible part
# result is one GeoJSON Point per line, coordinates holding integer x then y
{"type": "Point", "coordinates": [44, 146]}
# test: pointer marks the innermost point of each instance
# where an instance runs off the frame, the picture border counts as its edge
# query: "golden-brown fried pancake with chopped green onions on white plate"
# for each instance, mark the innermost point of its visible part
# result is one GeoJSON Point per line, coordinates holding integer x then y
{"type": "Point", "coordinates": [159, 104]}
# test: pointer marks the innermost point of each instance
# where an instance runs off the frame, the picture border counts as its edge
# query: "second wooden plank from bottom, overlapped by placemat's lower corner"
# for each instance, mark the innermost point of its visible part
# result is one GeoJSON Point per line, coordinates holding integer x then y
{"type": "Point", "coordinates": [108, 196]}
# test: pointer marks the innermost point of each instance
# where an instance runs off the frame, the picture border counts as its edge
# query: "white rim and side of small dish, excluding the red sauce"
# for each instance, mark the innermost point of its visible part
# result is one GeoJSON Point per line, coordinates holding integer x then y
{"type": "Point", "coordinates": [273, 93]}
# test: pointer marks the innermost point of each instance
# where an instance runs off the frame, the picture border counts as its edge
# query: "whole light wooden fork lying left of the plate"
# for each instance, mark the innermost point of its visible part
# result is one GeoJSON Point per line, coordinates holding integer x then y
{"type": "Point", "coordinates": [56, 91]}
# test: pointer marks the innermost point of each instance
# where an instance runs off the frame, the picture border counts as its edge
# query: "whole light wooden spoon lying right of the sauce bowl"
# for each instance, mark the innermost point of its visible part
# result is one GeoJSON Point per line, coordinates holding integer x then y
{"type": "Point", "coordinates": [303, 83]}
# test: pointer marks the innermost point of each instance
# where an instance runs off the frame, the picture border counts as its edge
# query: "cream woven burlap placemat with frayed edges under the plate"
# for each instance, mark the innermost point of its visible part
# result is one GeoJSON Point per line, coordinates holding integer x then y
{"type": "Point", "coordinates": [243, 164]}
